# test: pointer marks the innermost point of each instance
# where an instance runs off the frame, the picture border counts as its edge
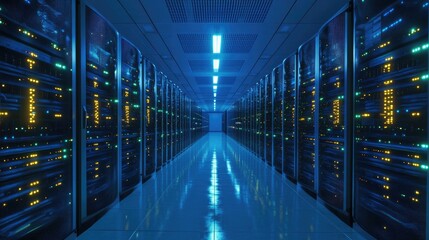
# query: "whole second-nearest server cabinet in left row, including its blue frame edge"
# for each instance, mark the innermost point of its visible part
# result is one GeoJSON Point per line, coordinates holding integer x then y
{"type": "Point", "coordinates": [98, 166]}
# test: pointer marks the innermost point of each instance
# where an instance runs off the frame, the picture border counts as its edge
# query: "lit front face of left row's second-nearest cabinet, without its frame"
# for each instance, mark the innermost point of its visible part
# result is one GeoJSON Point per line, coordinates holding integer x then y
{"type": "Point", "coordinates": [101, 109]}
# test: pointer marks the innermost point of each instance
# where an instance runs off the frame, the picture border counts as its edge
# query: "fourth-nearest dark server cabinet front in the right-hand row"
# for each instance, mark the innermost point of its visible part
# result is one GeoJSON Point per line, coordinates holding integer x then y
{"type": "Point", "coordinates": [289, 118]}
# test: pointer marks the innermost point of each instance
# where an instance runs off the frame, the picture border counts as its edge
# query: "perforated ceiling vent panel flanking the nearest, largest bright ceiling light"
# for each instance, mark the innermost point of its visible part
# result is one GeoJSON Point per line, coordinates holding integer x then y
{"type": "Point", "coordinates": [231, 43]}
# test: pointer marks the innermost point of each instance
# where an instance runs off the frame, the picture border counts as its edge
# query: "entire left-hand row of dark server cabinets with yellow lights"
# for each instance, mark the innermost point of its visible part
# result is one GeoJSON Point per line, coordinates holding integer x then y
{"type": "Point", "coordinates": [83, 118]}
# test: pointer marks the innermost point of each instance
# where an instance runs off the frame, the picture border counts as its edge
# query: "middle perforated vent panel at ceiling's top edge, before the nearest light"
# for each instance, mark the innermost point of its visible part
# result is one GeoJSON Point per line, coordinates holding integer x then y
{"type": "Point", "coordinates": [230, 11]}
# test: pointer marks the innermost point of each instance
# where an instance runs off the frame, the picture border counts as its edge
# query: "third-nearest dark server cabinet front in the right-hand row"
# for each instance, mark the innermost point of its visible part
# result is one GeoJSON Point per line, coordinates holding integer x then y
{"type": "Point", "coordinates": [306, 111]}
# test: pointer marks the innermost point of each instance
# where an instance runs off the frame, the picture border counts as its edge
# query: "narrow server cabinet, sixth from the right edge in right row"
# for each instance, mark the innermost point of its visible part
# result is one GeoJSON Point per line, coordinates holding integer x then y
{"type": "Point", "coordinates": [269, 120]}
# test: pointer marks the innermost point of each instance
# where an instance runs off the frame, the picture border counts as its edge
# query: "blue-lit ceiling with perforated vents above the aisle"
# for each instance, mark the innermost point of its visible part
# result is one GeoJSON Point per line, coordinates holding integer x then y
{"type": "Point", "coordinates": [256, 36]}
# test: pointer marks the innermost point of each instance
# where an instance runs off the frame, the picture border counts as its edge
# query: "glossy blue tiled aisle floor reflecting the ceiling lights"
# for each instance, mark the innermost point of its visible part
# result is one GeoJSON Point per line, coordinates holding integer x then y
{"type": "Point", "coordinates": [218, 190]}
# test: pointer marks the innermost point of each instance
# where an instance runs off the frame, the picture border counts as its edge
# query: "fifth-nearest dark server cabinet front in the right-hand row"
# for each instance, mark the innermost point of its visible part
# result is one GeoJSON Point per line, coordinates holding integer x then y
{"type": "Point", "coordinates": [278, 118]}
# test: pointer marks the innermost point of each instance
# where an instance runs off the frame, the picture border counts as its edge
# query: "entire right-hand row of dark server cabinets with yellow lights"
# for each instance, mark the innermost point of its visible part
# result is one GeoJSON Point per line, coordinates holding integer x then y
{"type": "Point", "coordinates": [346, 117]}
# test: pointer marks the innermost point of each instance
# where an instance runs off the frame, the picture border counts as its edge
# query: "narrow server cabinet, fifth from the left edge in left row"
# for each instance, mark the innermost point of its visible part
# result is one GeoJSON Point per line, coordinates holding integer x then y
{"type": "Point", "coordinates": [159, 119]}
